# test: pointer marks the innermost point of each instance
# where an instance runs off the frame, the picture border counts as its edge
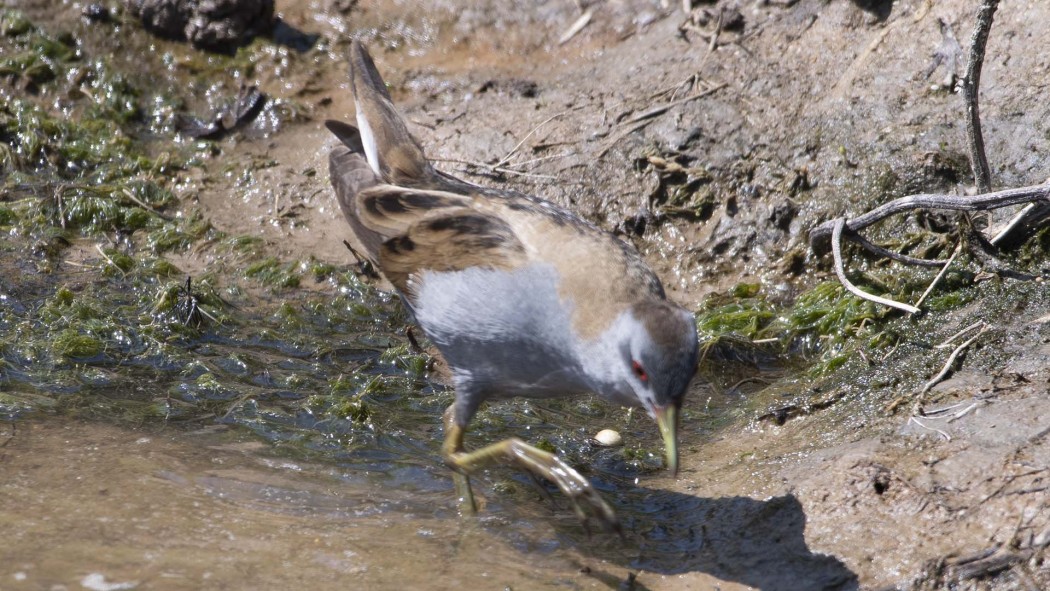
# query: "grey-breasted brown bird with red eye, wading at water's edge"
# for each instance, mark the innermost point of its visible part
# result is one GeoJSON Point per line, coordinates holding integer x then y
{"type": "Point", "coordinates": [520, 297]}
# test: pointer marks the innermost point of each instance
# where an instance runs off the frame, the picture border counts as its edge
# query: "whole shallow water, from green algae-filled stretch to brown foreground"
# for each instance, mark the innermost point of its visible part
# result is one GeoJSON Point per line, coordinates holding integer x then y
{"type": "Point", "coordinates": [299, 439]}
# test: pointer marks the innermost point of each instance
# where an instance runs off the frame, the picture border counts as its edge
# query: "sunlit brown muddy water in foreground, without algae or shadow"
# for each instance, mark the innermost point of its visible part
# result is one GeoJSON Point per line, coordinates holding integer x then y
{"type": "Point", "coordinates": [102, 508]}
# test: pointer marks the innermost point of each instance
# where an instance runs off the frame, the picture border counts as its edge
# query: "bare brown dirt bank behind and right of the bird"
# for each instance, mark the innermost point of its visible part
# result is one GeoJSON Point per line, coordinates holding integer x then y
{"type": "Point", "coordinates": [827, 94]}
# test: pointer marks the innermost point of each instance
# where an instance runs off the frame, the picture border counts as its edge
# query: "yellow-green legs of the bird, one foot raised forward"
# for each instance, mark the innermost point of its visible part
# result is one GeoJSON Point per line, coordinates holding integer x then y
{"type": "Point", "coordinates": [586, 501]}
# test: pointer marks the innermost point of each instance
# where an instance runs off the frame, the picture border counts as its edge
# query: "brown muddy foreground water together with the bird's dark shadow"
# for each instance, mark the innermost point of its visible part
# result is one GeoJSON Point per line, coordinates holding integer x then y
{"type": "Point", "coordinates": [87, 504]}
